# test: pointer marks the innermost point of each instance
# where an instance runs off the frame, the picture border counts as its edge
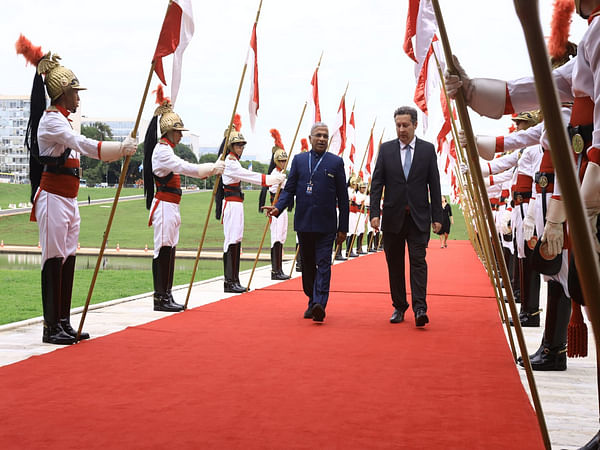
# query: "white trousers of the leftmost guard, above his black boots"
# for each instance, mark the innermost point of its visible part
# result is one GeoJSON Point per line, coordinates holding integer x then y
{"type": "Point", "coordinates": [58, 223]}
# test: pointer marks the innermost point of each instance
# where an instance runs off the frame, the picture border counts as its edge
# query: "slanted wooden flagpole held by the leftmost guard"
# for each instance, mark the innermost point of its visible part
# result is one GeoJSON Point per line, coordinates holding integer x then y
{"type": "Point", "coordinates": [116, 200]}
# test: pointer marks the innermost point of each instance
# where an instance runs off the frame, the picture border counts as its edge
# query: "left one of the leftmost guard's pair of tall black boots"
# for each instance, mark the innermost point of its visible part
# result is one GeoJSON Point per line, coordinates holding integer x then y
{"type": "Point", "coordinates": [51, 298]}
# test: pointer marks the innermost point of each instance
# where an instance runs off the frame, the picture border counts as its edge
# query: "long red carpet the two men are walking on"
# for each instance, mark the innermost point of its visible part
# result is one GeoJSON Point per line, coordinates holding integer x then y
{"type": "Point", "coordinates": [249, 372]}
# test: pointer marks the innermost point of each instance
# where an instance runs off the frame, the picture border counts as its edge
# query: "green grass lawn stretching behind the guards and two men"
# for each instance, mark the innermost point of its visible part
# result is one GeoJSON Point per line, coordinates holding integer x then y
{"type": "Point", "coordinates": [20, 294]}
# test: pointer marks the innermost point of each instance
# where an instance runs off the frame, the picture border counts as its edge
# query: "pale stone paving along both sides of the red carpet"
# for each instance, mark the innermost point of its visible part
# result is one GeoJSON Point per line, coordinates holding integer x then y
{"type": "Point", "coordinates": [569, 399]}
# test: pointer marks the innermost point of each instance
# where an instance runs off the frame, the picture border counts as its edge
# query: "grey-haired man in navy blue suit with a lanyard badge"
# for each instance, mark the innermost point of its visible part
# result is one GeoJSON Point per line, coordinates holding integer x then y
{"type": "Point", "coordinates": [318, 181]}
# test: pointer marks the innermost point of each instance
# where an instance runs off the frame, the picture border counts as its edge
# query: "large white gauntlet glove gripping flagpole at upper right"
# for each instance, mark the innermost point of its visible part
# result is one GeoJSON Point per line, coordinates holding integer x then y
{"type": "Point", "coordinates": [484, 95]}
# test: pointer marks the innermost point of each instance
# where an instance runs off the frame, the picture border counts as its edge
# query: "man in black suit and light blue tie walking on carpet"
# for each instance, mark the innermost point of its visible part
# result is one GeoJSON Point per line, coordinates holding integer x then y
{"type": "Point", "coordinates": [407, 169]}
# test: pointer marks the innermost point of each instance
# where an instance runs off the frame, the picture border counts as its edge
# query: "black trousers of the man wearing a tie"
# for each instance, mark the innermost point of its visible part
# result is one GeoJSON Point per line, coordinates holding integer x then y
{"type": "Point", "coordinates": [394, 245]}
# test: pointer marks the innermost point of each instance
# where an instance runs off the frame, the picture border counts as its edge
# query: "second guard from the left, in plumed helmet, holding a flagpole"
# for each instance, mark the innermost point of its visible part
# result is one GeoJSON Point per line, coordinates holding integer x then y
{"type": "Point", "coordinates": [162, 168]}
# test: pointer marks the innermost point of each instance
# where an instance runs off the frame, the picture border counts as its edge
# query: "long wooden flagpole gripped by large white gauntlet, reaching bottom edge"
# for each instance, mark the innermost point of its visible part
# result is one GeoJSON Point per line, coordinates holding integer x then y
{"type": "Point", "coordinates": [473, 159]}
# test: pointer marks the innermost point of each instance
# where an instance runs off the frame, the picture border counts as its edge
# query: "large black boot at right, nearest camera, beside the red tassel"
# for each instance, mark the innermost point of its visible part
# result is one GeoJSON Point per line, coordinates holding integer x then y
{"type": "Point", "coordinates": [553, 355]}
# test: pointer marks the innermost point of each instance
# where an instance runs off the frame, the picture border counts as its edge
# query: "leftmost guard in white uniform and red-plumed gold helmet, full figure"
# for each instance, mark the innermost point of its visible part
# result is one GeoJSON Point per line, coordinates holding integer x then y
{"type": "Point", "coordinates": [54, 172]}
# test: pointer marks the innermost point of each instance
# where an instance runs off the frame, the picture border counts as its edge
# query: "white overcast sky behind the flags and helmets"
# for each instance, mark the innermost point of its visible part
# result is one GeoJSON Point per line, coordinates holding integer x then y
{"type": "Point", "coordinates": [109, 46]}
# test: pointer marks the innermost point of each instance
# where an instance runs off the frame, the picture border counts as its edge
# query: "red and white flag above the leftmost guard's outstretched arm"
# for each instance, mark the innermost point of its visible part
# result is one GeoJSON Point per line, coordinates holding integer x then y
{"type": "Point", "coordinates": [175, 35]}
